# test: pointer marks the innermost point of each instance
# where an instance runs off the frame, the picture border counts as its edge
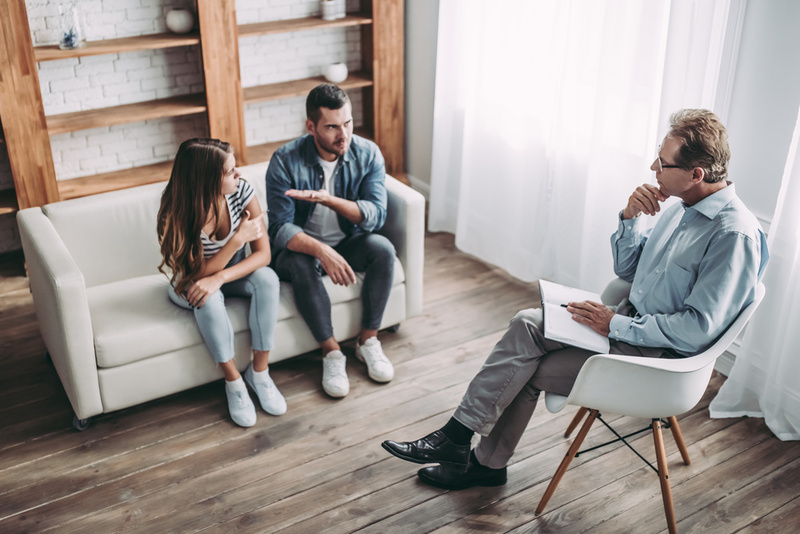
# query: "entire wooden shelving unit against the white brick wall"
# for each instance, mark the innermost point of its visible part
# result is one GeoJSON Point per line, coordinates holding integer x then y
{"type": "Point", "coordinates": [381, 79]}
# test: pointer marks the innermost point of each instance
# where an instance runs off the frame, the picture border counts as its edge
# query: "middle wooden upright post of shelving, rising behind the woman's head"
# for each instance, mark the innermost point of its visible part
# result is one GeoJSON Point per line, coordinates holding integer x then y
{"type": "Point", "coordinates": [219, 43]}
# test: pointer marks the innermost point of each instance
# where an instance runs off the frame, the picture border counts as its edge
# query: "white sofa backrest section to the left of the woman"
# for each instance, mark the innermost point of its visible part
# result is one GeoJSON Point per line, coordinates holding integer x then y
{"type": "Point", "coordinates": [111, 236]}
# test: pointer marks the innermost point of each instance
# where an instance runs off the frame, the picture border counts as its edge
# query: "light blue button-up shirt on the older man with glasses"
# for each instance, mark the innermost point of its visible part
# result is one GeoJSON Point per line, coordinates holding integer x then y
{"type": "Point", "coordinates": [692, 273]}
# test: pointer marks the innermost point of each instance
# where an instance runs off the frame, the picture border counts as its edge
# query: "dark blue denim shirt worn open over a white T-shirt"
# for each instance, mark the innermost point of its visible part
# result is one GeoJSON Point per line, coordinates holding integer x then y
{"type": "Point", "coordinates": [360, 177]}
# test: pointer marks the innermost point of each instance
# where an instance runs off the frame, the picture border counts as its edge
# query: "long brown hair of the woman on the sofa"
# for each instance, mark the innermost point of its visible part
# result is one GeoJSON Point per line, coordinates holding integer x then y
{"type": "Point", "coordinates": [194, 190]}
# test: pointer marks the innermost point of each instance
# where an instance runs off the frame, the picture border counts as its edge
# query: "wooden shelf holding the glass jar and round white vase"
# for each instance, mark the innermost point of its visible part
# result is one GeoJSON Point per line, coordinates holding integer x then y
{"type": "Point", "coordinates": [115, 46]}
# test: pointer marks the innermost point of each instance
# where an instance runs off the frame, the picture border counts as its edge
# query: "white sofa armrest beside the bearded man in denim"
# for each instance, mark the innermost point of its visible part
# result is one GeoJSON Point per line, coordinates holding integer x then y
{"type": "Point", "coordinates": [405, 228]}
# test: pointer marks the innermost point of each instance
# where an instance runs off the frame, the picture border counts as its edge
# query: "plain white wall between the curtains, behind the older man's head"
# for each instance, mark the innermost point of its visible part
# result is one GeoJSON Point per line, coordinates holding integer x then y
{"type": "Point", "coordinates": [765, 100]}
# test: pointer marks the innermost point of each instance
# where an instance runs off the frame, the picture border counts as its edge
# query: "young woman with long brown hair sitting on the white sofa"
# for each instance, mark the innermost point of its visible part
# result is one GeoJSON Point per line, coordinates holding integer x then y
{"type": "Point", "coordinates": [207, 216]}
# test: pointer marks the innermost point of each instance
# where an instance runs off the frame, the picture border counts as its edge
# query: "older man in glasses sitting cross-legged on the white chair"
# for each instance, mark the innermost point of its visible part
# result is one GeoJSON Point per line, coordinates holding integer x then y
{"type": "Point", "coordinates": [691, 276]}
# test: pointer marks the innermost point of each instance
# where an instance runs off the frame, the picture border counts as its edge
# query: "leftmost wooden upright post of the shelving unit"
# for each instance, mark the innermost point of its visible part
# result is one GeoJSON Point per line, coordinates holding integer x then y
{"type": "Point", "coordinates": [22, 111]}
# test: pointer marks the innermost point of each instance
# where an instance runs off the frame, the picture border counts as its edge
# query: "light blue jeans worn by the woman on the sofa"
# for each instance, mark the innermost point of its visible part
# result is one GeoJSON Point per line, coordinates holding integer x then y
{"type": "Point", "coordinates": [263, 288]}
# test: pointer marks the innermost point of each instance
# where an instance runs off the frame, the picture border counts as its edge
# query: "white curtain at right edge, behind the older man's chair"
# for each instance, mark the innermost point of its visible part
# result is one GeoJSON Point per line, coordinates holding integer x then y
{"type": "Point", "coordinates": [765, 379]}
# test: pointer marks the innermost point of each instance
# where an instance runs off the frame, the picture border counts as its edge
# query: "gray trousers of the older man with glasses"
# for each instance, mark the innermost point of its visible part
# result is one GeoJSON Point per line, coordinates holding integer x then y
{"type": "Point", "coordinates": [500, 400]}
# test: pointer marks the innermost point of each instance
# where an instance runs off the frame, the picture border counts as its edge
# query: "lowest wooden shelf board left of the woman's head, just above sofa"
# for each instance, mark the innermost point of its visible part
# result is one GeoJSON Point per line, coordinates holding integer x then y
{"type": "Point", "coordinates": [111, 181]}
